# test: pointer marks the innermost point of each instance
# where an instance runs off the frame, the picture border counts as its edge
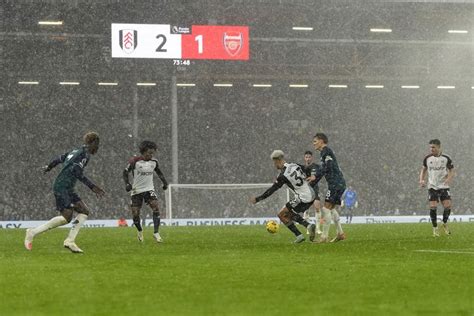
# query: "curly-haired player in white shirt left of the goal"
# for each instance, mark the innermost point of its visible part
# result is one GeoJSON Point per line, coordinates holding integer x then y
{"type": "Point", "coordinates": [142, 168]}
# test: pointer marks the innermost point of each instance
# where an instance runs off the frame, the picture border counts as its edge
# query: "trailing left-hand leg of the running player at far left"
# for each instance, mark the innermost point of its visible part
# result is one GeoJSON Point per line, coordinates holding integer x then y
{"type": "Point", "coordinates": [63, 205]}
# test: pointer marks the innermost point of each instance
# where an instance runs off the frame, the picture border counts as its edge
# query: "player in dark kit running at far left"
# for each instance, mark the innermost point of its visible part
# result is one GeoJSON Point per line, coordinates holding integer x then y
{"type": "Point", "coordinates": [67, 201]}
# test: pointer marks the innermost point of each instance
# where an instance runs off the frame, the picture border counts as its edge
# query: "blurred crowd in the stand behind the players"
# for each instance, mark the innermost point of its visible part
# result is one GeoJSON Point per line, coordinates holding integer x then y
{"type": "Point", "coordinates": [226, 136]}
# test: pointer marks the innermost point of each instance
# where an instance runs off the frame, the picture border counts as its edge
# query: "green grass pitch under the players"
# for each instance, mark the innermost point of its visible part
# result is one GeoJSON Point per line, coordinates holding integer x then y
{"type": "Point", "coordinates": [239, 271]}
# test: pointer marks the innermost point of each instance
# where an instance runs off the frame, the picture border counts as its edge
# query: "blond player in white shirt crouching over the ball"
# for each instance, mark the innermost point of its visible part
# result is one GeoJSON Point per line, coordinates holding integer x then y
{"type": "Point", "coordinates": [295, 178]}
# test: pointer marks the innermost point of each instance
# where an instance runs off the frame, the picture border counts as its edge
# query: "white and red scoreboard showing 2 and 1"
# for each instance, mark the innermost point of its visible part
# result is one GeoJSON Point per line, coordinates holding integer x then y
{"type": "Point", "coordinates": [171, 42]}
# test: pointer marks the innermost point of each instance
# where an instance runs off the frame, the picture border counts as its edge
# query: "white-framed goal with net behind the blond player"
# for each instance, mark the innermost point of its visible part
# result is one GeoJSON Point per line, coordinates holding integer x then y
{"type": "Point", "coordinates": [222, 201]}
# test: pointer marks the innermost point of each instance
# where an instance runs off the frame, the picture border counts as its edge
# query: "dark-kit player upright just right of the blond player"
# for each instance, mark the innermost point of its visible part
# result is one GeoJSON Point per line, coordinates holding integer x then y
{"type": "Point", "coordinates": [336, 187]}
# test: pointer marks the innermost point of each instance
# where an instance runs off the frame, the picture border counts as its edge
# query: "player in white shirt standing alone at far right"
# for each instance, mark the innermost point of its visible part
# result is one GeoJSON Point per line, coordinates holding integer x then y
{"type": "Point", "coordinates": [440, 170]}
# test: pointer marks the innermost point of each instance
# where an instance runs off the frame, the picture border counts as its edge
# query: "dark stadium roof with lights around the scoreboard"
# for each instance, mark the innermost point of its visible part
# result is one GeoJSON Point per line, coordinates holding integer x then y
{"type": "Point", "coordinates": [340, 43]}
